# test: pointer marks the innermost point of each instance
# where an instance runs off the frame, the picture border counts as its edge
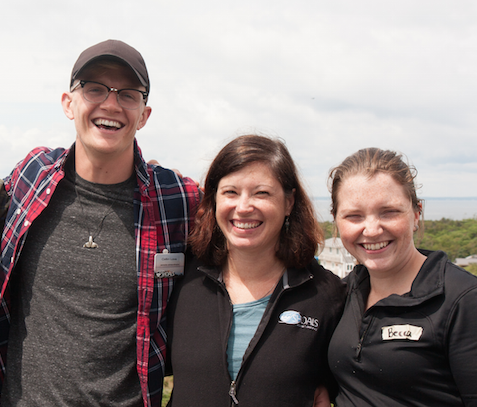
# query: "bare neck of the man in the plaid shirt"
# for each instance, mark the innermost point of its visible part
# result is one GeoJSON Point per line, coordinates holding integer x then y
{"type": "Point", "coordinates": [104, 169]}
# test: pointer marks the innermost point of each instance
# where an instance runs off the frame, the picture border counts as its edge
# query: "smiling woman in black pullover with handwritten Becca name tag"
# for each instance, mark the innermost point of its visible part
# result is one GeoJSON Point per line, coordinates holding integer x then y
{"type": "Point", "coordinates": [407, 335]}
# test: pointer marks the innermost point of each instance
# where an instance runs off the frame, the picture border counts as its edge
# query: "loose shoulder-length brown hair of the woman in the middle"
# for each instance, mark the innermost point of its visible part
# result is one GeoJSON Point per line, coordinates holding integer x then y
{"type": "Point", "coordinates": [298, 245]}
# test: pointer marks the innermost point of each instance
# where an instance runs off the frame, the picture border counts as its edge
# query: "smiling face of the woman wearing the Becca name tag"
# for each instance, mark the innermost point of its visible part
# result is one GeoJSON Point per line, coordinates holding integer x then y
{"type": "Point", "coordinates": [376, 222]}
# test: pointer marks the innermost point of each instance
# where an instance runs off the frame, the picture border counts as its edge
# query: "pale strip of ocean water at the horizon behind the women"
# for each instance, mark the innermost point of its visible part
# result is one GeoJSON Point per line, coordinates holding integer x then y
{"type": "Point", "coordinates": [434, 208]}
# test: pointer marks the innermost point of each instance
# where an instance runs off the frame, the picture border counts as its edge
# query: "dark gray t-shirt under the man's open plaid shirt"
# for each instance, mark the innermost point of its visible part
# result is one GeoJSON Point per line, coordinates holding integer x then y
{"type": "Point", "coordinates": [73, 324]}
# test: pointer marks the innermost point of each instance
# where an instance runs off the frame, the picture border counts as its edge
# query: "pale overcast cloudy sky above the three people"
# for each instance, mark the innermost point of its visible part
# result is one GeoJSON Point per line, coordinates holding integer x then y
{"type": "Point", "coordinates": [327, 77]}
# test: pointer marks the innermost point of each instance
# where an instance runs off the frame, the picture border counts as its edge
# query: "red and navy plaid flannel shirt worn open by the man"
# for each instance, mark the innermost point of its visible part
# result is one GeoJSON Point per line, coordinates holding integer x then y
{"type": "Point", "coordinates": [164, 209]}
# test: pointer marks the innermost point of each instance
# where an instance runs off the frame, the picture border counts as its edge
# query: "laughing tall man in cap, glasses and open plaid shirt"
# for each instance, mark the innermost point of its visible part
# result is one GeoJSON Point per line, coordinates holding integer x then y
{"type": "Point", "coordinates": [87, 233]}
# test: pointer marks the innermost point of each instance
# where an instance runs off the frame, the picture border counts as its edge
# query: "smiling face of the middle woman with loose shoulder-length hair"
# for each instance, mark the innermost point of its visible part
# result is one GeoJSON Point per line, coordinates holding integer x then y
{"type": "Point", "coordinates": [250, 209]}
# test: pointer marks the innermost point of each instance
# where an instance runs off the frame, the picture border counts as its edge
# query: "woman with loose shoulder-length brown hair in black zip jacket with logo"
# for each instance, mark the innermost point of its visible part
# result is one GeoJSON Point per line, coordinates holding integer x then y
{"type": "Point", "coordinates": [252, 318]}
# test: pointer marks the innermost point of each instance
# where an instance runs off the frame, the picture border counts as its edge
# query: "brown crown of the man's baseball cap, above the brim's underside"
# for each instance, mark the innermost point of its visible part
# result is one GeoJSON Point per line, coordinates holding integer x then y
{"type": "Point", "coordinates": [115, 49]}
